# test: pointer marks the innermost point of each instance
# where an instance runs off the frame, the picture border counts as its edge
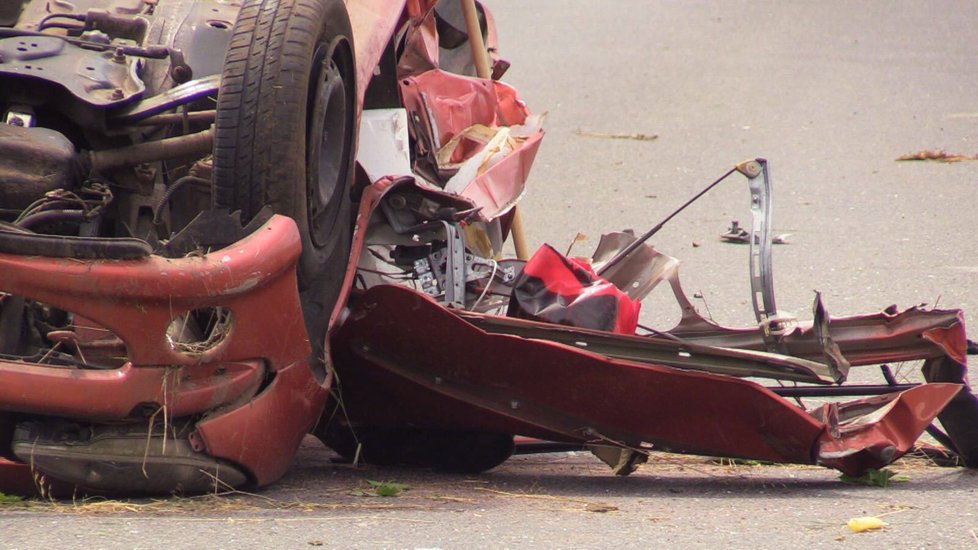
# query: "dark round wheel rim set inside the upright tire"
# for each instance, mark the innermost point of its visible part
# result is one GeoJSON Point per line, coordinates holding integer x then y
{"type": "Point", "coordinates": [328, 150]}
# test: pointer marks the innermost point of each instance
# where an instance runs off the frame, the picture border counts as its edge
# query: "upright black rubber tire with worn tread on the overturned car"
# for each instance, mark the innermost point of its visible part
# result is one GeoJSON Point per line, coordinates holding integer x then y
{"type": "Point", "coordinates": [288, 85]}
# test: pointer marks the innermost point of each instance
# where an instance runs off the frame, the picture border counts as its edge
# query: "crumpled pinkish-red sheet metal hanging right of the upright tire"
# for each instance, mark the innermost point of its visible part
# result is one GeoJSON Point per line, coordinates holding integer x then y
{"type": "Point", "coordinates": [474, 137]}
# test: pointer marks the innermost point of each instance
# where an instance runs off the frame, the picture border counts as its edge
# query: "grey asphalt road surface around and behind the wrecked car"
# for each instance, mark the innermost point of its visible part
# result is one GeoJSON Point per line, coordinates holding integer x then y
{"type": "Point", "coordinates": [830, 93]}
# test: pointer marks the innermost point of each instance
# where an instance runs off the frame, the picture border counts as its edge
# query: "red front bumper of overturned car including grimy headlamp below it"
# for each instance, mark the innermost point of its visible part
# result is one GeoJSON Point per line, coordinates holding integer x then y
{"type": "Point", "coordinates": [241, 395]}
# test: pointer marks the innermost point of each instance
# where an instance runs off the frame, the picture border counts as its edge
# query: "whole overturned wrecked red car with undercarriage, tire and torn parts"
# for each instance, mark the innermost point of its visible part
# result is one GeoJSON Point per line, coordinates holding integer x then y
{"type": "Point", "coordinates": [226, 225]}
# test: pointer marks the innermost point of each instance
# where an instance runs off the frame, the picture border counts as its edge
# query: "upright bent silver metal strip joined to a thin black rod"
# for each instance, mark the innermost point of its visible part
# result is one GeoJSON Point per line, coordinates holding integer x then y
{"type": "Point", "coordinates": [761, 274]}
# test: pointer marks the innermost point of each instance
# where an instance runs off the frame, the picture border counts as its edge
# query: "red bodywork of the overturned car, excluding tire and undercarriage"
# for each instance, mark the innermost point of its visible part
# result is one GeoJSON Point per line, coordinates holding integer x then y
{"type": "Point", "coordinates": [402, 363]}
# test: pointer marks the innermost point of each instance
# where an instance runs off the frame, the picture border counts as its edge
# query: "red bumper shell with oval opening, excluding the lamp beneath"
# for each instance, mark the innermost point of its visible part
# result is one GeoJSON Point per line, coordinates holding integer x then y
{"type": "Point", "coordinates": [253, 390]}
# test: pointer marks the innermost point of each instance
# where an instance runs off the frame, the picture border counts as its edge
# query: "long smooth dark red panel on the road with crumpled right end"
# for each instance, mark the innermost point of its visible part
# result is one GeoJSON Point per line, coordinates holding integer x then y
{"type": "Point", "coordinates": [575, 394]}
